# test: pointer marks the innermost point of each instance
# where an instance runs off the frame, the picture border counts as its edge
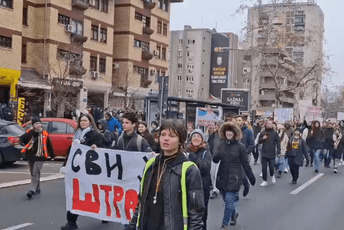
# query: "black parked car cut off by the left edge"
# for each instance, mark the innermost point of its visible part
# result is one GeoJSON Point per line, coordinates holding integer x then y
{"type": "Point", "coordinates": [10, 147]}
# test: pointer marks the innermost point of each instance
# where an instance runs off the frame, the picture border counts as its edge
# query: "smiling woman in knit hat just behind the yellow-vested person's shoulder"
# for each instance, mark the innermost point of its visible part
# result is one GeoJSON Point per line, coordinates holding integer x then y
{"type": "Point", "coordinates": [199, 154]}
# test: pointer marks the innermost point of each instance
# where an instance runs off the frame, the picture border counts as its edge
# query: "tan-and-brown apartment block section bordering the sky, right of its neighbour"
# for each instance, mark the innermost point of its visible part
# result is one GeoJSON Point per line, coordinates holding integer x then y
{"type": "Point", "coordinates": [141, 44]}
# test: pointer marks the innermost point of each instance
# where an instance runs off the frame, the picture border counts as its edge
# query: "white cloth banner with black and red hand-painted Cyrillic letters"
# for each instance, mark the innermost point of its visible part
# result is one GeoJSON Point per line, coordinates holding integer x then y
{"type": "Point", "coordinates": [103, 183]}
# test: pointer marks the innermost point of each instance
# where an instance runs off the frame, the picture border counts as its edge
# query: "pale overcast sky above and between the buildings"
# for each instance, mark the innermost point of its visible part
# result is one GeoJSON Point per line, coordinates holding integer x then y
{"type": "Point", "coordinates": [218, 14]}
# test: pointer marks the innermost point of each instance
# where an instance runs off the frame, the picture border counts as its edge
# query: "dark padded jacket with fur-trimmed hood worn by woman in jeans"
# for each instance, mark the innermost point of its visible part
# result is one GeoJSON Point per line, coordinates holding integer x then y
{"type": "Point", "coordinates": [233, 157]}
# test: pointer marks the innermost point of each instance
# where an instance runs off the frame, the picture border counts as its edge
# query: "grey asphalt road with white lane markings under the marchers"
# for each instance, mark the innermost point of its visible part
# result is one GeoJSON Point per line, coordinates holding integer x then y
{"type": "Point", "coordinates": [318, 206]}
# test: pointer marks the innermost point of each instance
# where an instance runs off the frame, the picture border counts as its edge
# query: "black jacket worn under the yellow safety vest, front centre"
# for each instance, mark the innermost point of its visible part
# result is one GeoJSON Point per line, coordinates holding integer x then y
{"type": "Point", "coordinates": [172, 197]}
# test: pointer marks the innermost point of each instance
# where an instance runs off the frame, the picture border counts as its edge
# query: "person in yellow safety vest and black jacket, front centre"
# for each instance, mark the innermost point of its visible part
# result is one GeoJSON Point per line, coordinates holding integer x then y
{"type": "Point", "coordinates": [171, 195]}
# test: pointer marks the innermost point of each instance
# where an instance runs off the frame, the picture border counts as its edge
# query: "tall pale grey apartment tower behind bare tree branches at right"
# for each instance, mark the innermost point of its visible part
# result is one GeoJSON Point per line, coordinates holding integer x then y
{"type": "Point", "coordinates": [305, 20]}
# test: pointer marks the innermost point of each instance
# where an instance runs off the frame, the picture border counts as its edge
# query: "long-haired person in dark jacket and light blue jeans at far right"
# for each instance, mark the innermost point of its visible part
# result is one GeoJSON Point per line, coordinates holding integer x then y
{"type": "Point", "coordinates": [316, 140]}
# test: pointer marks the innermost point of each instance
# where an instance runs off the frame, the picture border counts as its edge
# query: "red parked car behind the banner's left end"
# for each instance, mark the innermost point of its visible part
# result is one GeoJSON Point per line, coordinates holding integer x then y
{"type": "Point", "coordinates": [61, 132]}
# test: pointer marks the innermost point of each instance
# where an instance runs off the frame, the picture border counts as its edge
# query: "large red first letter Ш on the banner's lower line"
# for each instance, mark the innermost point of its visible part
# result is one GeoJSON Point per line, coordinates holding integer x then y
{"type": "Point", "coordinates": [87, 205]}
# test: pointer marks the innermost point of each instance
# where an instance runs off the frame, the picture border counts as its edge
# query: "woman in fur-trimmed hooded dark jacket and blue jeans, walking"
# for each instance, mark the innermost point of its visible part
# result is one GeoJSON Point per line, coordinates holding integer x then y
{"type": "Point", "coordinates": [232, 154]}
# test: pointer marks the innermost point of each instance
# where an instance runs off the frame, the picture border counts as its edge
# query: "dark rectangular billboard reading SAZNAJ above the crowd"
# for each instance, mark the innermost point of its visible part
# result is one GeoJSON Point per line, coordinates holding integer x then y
{"type": "Point", "coordinates": [236, 97]}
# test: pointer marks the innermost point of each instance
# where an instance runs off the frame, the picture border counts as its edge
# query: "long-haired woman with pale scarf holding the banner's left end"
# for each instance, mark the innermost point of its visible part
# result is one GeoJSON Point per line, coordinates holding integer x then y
{"type": "Point", "coordinates": [86, 134]}
